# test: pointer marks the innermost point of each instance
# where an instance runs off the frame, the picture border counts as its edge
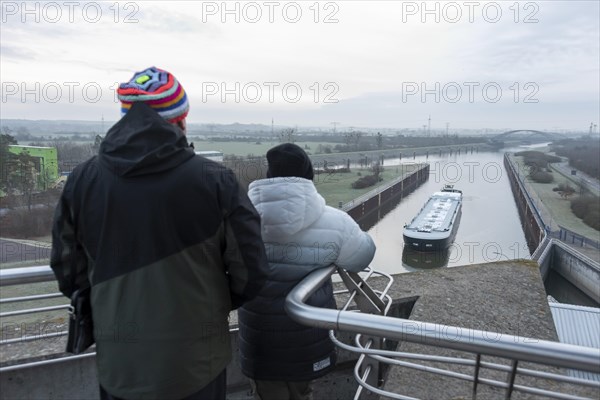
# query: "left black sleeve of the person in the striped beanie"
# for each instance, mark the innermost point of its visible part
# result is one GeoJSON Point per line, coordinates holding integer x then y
{"type": "Point", "coordinates": [67, 260]}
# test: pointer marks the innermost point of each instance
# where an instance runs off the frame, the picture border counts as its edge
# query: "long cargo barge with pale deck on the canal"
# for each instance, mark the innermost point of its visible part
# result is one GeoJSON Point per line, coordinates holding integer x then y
{"type": "Point", "coordinates": [435, 226]}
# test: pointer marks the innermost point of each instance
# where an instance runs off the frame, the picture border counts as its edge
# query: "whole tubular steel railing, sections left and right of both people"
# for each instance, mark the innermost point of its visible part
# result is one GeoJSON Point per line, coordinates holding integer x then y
{"type": "Point", "coordinates": [373, 328]}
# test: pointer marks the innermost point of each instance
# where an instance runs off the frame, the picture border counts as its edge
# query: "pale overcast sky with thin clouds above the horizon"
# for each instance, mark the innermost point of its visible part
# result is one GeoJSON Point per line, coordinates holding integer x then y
{"type": "Point", "coordinates": [471, 64]}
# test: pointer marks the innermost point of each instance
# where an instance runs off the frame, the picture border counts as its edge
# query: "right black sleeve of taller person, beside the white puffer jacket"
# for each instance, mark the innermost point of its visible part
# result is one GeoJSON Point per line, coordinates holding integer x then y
{"type": "Point", "coordinates": [244, 255]}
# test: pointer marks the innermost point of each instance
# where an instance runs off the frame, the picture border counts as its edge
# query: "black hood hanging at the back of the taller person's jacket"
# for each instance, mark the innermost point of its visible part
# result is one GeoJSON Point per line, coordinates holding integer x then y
{"type": "Point", "coordinates": [143, 143]}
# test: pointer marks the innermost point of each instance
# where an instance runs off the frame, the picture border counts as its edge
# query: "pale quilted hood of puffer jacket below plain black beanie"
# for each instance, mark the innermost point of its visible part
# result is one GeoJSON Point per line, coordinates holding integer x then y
{"type": "Point", "coordinates": [286, 205]}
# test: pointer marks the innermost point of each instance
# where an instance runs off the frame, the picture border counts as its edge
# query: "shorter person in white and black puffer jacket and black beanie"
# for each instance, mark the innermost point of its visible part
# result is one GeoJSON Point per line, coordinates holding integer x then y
{"type": "Point", "coordinates": [301, 233]}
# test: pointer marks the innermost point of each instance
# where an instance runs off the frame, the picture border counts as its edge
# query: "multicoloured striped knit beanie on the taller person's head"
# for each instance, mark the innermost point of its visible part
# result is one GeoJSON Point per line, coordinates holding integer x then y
{"type": "Point", "coordinates": [157, 88]}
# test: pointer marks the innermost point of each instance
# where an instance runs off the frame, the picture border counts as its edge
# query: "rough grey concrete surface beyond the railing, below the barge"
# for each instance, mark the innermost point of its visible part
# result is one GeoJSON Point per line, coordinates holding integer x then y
{"type": "Point", "coordinates": [504, 297]}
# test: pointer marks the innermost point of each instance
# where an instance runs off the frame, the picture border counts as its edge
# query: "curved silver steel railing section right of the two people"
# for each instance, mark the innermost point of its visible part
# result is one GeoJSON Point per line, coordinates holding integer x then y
{"type": "Point", "coordinates": [514, 348]}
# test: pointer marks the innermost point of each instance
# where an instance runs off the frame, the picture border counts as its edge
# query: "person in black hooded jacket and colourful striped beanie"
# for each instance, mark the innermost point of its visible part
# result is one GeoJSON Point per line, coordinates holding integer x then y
{"type": "Point", "coordinates": [169, 243]}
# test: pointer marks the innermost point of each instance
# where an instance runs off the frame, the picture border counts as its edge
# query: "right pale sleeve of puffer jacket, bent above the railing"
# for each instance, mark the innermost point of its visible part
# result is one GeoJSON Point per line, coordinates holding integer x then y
{"type": "Point", "coordinates": [357, 248]}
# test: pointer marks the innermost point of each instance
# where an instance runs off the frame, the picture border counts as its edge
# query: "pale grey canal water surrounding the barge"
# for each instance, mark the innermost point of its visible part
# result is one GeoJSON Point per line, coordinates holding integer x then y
{"type": "Point", "coordinates": [490, 228]}
